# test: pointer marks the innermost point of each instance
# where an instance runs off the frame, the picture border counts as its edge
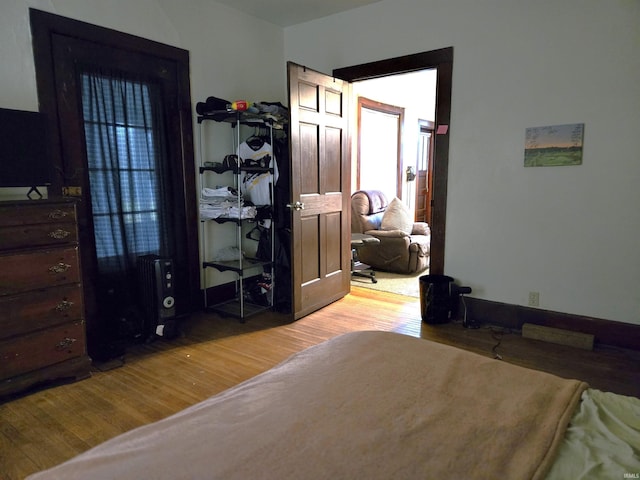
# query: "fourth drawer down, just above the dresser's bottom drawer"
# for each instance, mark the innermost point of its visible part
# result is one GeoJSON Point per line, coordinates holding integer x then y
{"type": "Point", "coordinates": [39, 309]}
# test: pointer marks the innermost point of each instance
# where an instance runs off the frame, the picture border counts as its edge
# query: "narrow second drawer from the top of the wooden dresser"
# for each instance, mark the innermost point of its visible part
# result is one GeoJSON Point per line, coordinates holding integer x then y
{"type": "Point", "coordinates": [36, 235]}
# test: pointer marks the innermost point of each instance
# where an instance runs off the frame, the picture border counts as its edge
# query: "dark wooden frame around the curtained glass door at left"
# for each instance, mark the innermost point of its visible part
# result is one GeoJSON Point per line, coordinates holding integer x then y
{"type": "Point", "coordinates": [45, 27]}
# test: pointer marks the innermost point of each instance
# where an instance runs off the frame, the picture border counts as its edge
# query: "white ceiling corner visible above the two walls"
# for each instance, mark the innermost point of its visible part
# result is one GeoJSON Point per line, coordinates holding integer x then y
{"type": "Point", "coordinates": [292, 12]}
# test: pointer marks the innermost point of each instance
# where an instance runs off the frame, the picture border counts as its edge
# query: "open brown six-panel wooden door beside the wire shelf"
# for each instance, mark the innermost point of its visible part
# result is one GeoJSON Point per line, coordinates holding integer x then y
{"type": "Point", "coordinates": [320, 183]}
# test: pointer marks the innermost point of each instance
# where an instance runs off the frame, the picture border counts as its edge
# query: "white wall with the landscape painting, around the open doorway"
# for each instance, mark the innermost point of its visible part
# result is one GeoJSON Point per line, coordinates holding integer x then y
{"type": "Point", "coordinates": [570, 233]}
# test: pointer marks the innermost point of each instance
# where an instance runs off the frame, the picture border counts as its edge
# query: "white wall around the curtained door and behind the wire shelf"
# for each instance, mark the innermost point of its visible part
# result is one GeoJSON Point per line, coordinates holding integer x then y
{"type": "Point", "coordinates": [232, 55]}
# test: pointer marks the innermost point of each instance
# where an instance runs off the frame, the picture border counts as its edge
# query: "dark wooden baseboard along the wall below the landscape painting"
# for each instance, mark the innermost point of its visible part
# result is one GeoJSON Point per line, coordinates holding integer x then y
{"type": "Point", "coordinates": [607, 332]}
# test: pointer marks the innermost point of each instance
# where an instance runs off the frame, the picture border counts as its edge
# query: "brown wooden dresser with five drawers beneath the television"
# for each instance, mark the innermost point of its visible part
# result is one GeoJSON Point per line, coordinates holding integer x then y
{"type": "Point", "coordinates": [42, 328]}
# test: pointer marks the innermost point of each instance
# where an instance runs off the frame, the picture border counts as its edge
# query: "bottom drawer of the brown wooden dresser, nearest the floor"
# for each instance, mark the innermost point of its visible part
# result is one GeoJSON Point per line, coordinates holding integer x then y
{"type": "Point", "coordinates": [36, 350]}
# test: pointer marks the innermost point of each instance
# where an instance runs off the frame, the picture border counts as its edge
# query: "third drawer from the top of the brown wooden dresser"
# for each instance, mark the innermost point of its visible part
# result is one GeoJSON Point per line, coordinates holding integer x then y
{"type": "Point", "coordinates": [35, 270]}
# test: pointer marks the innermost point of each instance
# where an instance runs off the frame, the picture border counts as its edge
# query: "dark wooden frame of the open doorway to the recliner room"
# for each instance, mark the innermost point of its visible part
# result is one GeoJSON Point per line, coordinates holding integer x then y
{"type": "Point", "coordinates": [442, 61]}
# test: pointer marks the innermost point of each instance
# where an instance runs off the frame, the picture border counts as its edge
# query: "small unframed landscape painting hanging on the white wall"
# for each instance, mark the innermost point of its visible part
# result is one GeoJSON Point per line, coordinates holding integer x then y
{"type": "Point", "coordinates": [555, 145]}
